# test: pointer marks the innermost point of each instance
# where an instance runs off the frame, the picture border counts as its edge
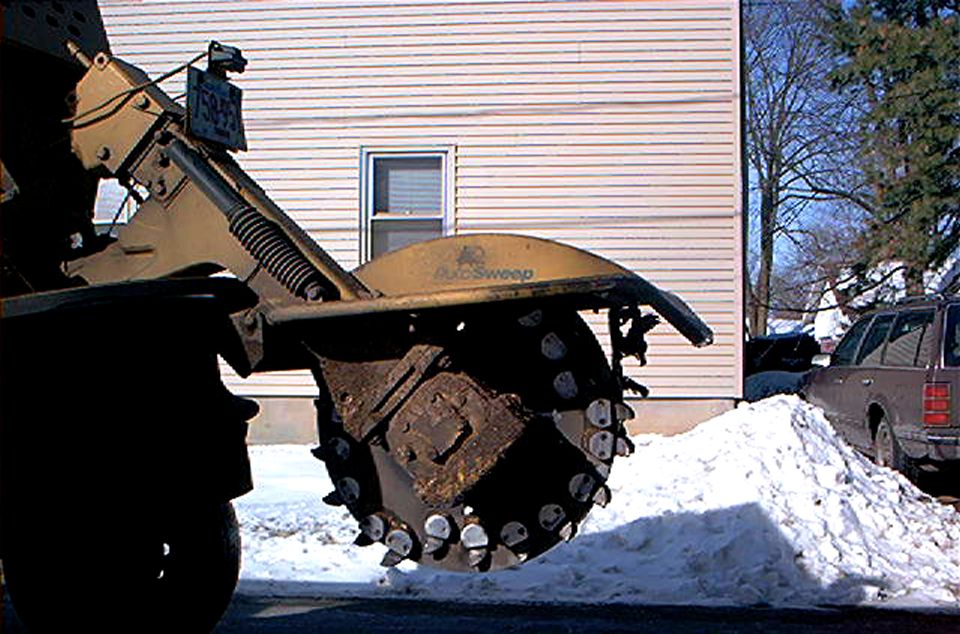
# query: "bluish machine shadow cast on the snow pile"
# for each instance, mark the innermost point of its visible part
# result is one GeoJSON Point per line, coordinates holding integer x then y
{"type": "Point", "coordinates": [733, 556]}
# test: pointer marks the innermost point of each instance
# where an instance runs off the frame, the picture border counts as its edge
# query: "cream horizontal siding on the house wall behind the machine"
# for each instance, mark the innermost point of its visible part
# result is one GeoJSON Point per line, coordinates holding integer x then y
{"type": "Point", "coordinates": [612, 126]}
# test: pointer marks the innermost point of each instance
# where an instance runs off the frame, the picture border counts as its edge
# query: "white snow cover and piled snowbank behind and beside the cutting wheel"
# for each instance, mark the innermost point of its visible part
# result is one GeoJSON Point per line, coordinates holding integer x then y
{"type": "Point", "coordinates": [763, 505]}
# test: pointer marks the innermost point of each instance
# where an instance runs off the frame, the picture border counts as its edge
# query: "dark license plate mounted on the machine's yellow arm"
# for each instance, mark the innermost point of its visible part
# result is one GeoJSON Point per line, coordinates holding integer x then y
{"type": "Point", "coordinates": [213, 110]}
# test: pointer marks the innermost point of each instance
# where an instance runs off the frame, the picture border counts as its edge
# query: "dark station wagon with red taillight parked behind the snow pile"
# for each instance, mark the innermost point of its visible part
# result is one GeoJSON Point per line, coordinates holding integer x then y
{"type": "Point", "coordinates": [891, 385]}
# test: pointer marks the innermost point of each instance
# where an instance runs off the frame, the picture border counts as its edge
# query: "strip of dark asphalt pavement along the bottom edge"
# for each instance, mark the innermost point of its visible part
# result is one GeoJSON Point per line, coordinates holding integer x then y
{"type": "Point", "coordinates": [277, 615]}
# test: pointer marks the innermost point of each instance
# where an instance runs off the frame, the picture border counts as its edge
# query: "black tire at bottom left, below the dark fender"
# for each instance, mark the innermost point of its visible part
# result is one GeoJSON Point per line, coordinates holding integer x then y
{"type": "Point", "coordinates": [177, 575]}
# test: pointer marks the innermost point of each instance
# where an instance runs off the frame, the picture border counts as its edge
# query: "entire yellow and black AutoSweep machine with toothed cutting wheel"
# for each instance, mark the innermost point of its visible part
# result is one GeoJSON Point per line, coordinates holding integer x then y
{"type": "Point", "coordinates": [466, 414]}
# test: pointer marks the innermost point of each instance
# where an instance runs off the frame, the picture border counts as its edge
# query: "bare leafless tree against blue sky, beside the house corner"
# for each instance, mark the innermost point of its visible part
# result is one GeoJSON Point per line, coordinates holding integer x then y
{"type": "Point", "coordinates": [795, 139]}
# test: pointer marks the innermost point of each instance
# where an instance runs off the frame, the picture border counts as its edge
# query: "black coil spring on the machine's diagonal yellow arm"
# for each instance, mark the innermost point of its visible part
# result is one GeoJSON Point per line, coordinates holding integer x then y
{"type": "Point", "coordinates": [273, 249]}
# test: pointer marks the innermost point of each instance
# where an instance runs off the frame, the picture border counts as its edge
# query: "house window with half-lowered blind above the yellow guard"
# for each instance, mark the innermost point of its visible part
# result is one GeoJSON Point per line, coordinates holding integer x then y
{"type": "Point", "coordinates": [405, 199]}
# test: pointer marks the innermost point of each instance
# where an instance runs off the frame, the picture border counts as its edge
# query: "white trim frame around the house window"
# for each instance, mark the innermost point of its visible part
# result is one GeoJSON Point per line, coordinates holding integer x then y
{"type": "Point", "coordinates": [447, 156]}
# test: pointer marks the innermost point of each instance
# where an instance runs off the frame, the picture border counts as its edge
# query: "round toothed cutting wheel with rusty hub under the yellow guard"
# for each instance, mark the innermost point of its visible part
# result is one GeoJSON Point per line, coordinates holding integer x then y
{"type": "Point", "coordinates": [481, 445]}
